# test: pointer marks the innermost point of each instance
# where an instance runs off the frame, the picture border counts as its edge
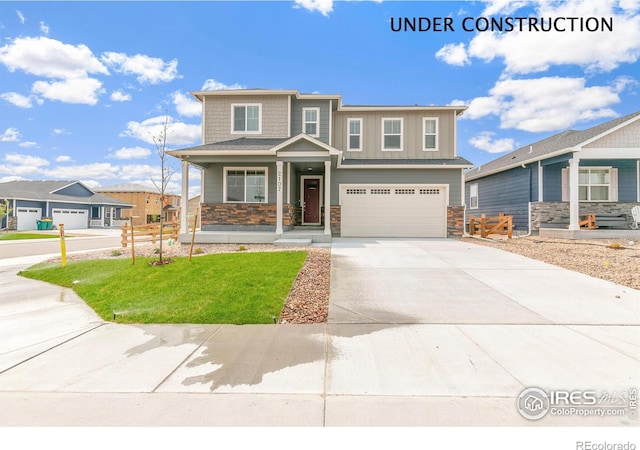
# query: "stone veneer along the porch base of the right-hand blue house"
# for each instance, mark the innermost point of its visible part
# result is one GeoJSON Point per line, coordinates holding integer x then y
{"type": "Point", "coordinates": [557, 213]}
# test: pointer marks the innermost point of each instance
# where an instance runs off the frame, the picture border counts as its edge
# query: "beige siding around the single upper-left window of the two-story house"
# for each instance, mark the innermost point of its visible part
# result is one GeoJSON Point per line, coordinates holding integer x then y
{"type": "Point", "coordinates": [218, 117]}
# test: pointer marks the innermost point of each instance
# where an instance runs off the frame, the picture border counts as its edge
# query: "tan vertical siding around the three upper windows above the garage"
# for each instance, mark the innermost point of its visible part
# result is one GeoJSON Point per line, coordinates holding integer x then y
{"type": "Point", "coordinates": [412, 134]}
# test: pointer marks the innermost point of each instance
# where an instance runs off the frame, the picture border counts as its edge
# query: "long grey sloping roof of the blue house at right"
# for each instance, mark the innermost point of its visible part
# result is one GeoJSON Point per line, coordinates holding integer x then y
{"type": "Point", "coordinates": [558, 144]}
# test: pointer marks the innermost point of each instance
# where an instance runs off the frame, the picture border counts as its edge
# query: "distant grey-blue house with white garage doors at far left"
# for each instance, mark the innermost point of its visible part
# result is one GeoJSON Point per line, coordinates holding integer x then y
{"type": "Point", "coordinates": [67, 202]}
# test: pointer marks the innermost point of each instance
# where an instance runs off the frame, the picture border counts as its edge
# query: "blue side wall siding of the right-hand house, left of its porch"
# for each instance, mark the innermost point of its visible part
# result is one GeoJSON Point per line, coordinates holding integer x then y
{"type": "Point", "coordinates": [506, 192]}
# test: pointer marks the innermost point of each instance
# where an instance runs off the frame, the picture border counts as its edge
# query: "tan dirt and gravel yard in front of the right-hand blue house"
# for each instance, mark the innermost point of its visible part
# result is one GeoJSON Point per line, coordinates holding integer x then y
{"type": "Point", "coordinates": [616, 260]}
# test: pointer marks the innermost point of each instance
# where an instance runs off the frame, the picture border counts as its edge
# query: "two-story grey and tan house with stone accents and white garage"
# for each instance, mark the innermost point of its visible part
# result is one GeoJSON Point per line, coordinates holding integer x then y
{"type": "Point", "coordinates": [273, 160]}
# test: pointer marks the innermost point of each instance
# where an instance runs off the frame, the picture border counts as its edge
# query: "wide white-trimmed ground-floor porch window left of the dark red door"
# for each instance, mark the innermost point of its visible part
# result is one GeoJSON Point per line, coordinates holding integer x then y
{"type": "Point", "coordinates": [245, 185]}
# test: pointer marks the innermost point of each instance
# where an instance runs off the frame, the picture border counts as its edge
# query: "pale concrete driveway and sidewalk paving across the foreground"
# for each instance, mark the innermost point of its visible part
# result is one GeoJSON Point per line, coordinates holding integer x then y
{"type": "Point", "coordinates": [420, 332]}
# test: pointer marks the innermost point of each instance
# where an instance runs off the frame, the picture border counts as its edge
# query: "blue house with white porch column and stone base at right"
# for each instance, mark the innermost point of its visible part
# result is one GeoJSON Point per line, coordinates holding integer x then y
{"type": "Point", "coordinates": [554, 183]}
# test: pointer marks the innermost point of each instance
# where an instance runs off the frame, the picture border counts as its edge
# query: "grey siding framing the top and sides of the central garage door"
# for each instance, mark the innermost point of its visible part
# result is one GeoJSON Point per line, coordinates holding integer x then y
{"type": "Point", "coordinates": [450, 177]}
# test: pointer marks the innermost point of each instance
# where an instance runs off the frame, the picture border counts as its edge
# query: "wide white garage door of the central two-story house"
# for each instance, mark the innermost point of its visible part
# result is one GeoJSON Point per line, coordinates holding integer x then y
{"type": "Point", "coordinates": [393, 210]}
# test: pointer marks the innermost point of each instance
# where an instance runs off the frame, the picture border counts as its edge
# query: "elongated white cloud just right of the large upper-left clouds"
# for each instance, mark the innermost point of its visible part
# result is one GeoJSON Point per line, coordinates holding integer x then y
{"type": "Point", "coordinates": [146, 68]}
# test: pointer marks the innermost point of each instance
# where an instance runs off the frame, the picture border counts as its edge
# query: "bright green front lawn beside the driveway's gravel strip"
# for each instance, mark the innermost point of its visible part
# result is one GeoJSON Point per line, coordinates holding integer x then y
{"type": "Point", "coordinates": [234, 288]}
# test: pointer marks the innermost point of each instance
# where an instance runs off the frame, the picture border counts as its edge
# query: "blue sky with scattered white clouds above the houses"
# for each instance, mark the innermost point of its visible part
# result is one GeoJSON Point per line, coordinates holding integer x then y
{"type": "Point", "coordinates": [84, 85]}
